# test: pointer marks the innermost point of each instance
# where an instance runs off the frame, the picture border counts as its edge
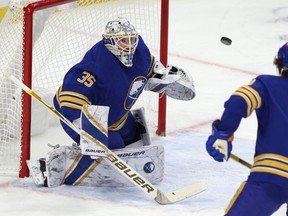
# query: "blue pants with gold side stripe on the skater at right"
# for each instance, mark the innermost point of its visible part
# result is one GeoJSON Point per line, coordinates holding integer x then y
{"type": "Point", "coordinates": [257, 199]}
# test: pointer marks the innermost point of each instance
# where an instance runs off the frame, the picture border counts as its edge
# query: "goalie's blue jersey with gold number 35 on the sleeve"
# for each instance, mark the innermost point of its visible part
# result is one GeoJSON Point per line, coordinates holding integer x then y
{"type": "Point", "coordinates": [101, 79]}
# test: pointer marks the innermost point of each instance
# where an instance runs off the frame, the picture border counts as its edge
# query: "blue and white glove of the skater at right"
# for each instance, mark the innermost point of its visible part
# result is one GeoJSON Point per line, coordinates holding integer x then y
{"type": "Point", "coordinates": [219, 144]}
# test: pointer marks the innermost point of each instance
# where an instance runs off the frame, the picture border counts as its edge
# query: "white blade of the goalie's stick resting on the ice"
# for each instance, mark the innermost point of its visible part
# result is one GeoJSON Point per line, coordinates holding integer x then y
{"type": "Point", "coordinates": [180, 194]}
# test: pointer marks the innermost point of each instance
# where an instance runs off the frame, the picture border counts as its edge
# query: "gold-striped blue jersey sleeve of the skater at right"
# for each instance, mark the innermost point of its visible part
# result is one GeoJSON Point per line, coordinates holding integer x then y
{"type": "Point", "coordinates": [241, 104]}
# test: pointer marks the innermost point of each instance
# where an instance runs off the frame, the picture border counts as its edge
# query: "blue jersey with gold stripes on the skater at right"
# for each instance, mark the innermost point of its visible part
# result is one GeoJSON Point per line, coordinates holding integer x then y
{"type": "Point", "coordinates": [267, 95]}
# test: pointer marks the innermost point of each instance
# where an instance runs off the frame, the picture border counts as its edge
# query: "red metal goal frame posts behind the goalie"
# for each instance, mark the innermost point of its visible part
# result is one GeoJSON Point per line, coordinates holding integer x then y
{"type": "Point", "coordinates": [27, 72]}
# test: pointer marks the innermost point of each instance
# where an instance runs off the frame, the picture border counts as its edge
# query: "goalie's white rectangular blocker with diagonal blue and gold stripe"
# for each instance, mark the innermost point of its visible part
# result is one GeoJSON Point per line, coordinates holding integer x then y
{"type": "Point", "coordinates": [94, 128]}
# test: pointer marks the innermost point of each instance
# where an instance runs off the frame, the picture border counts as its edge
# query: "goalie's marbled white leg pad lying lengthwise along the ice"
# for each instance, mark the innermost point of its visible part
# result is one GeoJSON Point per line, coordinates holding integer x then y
{"type": "Point", "coordinates": [66, 161]}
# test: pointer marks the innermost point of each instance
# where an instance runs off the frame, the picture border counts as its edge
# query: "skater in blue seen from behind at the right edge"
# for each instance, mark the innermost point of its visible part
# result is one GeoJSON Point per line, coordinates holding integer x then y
{"type": "Point", "coordinates": [266, 188]}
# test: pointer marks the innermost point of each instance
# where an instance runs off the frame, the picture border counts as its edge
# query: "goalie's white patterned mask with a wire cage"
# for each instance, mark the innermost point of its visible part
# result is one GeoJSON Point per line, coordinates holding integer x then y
{"type": "Point", "coordinates": [121, 38]}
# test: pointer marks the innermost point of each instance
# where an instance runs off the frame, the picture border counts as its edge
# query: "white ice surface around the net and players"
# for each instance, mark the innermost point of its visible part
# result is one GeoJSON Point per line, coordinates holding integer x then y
{"type": "Point", "coordinates": [257, 29]}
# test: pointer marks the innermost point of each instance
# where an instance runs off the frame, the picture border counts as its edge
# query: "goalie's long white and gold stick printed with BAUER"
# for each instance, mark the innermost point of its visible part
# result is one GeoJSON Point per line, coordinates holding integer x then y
{"type": "Point", "coordinates": [121, 166]}
